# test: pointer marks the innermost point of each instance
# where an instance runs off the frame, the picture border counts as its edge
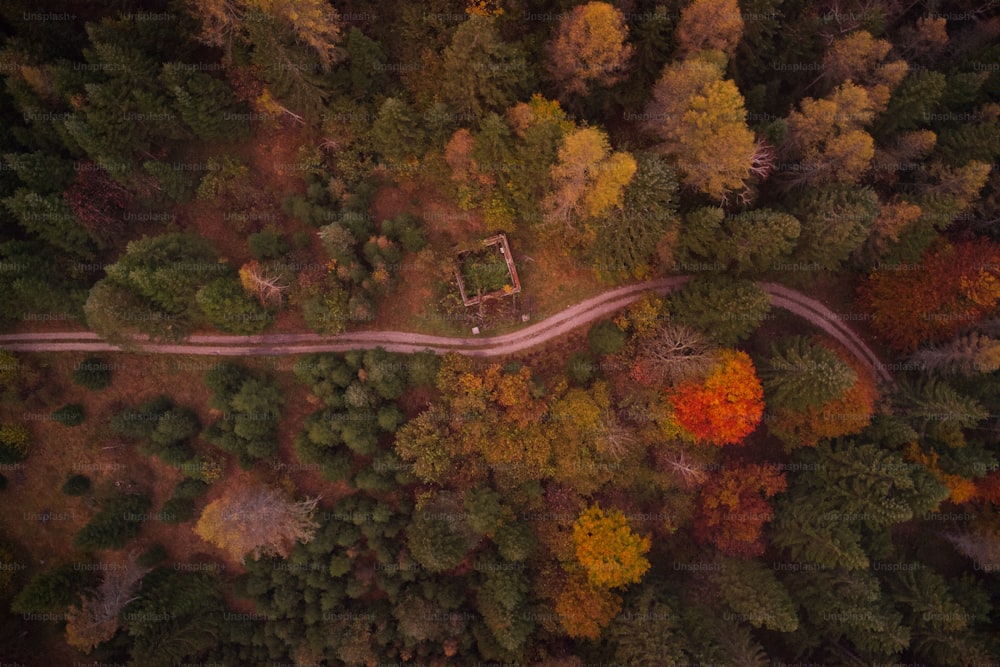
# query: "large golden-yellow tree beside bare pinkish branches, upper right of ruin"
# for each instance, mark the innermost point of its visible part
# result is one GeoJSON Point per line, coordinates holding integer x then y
{"type": "Point", "coordinates": [701, 119]}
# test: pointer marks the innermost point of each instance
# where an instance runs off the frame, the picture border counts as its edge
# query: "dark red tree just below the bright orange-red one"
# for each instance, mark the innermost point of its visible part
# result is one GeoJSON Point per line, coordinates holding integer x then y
{"type": "Point", "coordinates": [733, 508]}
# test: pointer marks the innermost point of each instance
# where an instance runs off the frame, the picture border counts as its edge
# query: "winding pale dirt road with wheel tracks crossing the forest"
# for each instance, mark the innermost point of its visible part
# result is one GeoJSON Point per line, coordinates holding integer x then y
{"type": "Point", "coordinates": [586, 311]}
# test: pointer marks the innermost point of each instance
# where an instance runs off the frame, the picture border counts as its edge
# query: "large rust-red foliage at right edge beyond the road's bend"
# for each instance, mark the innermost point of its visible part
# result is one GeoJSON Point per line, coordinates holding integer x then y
{"type": "Point", "coordinates": [956, 286]}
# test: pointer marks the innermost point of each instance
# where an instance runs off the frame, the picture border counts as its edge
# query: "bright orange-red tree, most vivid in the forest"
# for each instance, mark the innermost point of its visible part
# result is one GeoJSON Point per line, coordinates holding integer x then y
{"type": "Point", "coordinates": [727, 406]}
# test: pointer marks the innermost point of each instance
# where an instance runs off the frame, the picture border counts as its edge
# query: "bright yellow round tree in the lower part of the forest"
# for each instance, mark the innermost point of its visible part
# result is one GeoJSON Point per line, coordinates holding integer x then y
{"type": "Point", "coordinates": [607, 548]}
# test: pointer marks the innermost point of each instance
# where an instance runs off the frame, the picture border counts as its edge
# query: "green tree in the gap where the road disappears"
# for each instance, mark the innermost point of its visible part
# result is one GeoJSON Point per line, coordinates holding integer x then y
{"type": "Point", "coordinates": [725, 309]}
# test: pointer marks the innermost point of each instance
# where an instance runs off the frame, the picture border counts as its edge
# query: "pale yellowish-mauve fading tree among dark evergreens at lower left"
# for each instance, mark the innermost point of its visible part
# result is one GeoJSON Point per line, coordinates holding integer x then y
{"type": "Point", "coordinates": [255, 522]}
